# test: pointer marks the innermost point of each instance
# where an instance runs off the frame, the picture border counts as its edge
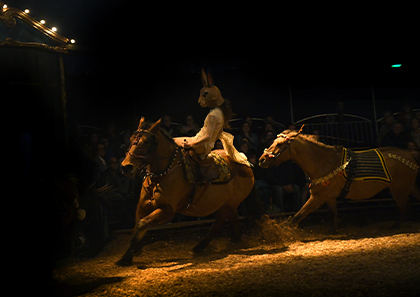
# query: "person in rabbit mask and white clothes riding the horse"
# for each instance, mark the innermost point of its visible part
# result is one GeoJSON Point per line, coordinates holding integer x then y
{"type": "Point", "coordinates": [216, 120]}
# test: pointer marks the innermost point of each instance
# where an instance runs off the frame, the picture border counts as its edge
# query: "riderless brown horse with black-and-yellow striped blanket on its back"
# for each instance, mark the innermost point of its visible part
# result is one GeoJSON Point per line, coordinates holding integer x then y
{"type": "Point", "coordinates": [373, 171]}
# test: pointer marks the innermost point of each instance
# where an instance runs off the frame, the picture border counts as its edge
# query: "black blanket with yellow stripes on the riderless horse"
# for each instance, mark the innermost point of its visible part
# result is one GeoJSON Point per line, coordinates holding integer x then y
{"type": "Point", "coordinates": [370, 165]}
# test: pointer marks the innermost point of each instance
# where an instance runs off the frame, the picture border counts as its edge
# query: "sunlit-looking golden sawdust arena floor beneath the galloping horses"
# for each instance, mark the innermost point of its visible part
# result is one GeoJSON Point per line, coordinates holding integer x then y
{"type": "Point", "coordinates": [372, 260]}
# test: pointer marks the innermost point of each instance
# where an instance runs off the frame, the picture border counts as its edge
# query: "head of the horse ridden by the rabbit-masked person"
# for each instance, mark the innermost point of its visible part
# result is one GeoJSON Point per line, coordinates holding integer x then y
{"type": "Point", "coordinates": [143, 145]}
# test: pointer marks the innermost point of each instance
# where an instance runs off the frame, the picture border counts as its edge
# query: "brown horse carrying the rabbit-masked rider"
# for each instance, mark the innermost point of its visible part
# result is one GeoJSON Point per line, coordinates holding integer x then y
{"type": "Point", "coordinates": [166, 189]}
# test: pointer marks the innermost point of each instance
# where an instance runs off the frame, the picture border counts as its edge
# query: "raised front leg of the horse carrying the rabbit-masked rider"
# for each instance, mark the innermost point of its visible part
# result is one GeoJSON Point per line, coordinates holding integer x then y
{"type": "Point", "coordinates": [159, 216]}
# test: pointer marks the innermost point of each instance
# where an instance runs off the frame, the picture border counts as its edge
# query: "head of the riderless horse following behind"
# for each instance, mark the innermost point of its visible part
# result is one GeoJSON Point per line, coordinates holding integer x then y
{"type": "Point", "coordinates": [280, 150]}
